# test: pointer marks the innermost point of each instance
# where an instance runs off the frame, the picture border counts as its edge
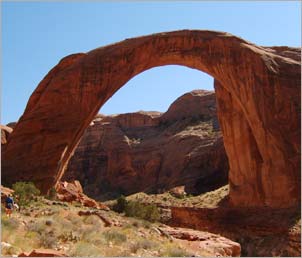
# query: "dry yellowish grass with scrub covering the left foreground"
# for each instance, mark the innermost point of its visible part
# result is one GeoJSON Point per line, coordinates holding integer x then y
{"type": "Point", "coordinates": [61, 228]}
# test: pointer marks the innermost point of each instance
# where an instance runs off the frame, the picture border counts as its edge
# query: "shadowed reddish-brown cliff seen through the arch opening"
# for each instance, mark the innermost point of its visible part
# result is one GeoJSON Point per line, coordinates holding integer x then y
{"type": "Point", "coordinates": [150, 152]}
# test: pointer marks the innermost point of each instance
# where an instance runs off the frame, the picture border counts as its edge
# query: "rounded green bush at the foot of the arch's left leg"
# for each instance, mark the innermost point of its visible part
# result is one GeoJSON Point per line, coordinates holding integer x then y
{"type": "Point", "coordinates": [25, 192]}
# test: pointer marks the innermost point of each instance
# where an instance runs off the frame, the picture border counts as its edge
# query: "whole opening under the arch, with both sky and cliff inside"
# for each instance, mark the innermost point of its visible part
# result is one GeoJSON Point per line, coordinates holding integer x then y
{"type": "Point", "coordinates": [143, 150]}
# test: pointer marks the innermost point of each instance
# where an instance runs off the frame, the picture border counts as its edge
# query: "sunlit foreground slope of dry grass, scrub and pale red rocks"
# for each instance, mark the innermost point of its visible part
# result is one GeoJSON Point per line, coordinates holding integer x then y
{"type": "Point", "coordinates": [53, 228]}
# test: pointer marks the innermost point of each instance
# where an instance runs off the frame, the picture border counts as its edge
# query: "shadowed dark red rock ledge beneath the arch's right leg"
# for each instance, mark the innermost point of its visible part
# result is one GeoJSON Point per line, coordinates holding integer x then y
{"type": "Point", "coordinates": [261, 232]}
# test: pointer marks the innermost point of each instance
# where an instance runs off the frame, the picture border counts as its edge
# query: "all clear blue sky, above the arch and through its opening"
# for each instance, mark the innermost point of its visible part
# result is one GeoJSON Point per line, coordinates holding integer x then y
{"type": "Point", "coordinates": [36, 35]}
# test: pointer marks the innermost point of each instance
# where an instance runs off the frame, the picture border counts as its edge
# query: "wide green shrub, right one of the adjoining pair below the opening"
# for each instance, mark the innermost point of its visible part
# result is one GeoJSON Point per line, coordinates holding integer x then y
{"type": "Point", "coordinates": [148, 212]}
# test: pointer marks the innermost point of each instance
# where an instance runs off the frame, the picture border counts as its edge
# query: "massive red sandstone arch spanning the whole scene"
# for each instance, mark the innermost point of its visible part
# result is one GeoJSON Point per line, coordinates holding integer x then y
{"type": "Point", "coordinates": [258, 96]}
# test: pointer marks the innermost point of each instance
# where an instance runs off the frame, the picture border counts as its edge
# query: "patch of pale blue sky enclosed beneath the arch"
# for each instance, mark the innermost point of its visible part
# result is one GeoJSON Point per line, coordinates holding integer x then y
{"type": "Point", "coordinates": [155, 89]}
